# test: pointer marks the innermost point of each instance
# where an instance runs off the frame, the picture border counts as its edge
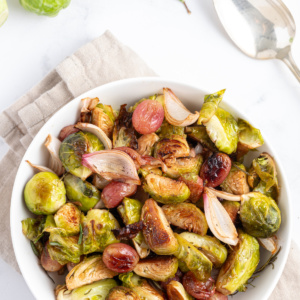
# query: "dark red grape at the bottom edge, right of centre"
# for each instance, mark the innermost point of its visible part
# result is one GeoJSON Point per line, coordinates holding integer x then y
{"type": "Point", "coordinates": [196, 288]}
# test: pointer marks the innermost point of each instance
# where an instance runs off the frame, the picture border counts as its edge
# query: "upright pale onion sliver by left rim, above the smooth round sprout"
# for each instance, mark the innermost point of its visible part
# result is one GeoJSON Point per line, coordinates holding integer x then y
{"type": "Point", "coordinates": [53, 144]}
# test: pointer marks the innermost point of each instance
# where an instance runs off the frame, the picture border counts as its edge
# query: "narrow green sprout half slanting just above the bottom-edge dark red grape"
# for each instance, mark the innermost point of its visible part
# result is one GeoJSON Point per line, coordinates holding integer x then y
{"type": "Point", "coordinates": [195, 260]}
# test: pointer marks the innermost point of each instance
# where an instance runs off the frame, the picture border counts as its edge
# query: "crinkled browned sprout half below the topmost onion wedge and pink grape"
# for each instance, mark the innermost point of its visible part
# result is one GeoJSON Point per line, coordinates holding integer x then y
{"type": "Point", "coordinates": [172, 148]}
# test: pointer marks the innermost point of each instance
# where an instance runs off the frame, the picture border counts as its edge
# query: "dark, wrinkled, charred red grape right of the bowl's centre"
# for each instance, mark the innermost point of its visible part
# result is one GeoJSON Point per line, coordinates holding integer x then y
{"type": "Point", "coordinates": [215, 169]}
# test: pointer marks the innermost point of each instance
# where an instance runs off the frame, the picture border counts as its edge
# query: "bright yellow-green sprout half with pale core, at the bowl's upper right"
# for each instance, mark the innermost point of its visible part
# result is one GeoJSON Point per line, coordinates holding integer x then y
{"type": "Point", "coordinates": [222, 129]}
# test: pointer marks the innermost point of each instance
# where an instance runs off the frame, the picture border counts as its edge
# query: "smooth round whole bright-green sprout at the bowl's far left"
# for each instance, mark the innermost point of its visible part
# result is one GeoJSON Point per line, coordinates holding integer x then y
{"type": "Point", "coordinates": [44, 193]}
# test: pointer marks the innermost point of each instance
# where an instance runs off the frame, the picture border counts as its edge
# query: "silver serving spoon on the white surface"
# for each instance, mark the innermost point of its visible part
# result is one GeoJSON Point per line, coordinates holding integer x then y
{"type": "Point", "coordinates": [262, 29]}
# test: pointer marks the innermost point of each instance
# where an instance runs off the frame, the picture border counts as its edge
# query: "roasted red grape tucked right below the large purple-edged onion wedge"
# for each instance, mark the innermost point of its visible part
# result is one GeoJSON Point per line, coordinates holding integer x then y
{"type": "Point", "coordinates": [113, 194]}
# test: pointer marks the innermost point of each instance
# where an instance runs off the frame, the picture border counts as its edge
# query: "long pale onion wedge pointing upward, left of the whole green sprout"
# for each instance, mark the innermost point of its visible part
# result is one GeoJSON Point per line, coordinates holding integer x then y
{"type": "Point", "coordinates": [218, 219]}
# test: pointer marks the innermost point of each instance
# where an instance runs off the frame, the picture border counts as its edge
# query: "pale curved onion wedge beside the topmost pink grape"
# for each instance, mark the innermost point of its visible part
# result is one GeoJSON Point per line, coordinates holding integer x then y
{"type": "Point", "coordinates": [175, 112]}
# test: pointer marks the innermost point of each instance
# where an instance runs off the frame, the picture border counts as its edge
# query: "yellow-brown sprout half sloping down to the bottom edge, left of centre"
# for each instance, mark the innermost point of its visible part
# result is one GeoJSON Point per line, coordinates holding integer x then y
{"type": "Point", "coordinates": [140, 286]}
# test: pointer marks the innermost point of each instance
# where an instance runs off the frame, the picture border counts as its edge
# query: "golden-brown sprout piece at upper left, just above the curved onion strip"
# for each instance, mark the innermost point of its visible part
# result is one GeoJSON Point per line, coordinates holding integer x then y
{"type": "Point", "coordinates": [103, 117]}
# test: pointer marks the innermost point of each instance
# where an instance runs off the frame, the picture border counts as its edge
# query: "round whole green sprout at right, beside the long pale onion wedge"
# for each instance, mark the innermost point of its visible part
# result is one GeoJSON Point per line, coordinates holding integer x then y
{"type": "Point", "coordinates": [260, 215]}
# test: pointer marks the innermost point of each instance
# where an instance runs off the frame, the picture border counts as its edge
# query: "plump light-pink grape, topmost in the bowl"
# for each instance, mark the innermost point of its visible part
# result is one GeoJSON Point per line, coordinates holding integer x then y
{"type": "Point", "coordinates": [148, 116]}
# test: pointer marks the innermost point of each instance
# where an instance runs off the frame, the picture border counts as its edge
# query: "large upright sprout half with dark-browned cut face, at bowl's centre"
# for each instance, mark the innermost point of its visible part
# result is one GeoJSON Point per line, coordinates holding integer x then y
{"type": "Point", "coordinates": [157, 232]}
